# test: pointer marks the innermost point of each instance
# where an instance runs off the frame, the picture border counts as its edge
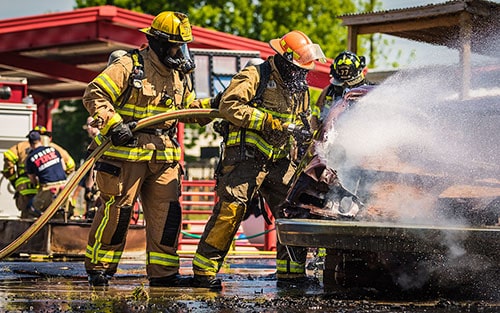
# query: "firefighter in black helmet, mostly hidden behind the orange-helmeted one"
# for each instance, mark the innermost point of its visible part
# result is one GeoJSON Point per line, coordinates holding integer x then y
{"type": "Point", "coordinates": [347, 71]}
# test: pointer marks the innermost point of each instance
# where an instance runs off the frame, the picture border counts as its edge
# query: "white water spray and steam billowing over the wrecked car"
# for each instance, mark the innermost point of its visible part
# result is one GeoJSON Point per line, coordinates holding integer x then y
{"type": "Point", "coordinates": [415, 129]}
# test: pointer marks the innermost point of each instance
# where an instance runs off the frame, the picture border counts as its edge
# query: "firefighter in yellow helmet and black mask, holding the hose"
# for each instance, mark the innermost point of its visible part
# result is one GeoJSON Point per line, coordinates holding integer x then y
{"type": "Point", "coordinates": [144, 82]}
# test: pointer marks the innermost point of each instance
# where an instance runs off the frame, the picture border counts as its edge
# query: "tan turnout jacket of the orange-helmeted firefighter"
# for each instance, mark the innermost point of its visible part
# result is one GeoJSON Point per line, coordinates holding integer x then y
{"type": "Point", "coordinates": [237, 108]}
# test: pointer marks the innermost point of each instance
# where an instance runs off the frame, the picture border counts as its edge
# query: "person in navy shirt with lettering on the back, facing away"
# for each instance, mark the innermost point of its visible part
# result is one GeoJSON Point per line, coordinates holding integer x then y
{"type": "Point", "coordinates": [46, 169]}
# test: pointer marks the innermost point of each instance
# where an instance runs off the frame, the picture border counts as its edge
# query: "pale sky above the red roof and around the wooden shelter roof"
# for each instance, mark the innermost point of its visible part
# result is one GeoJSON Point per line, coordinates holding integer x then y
{"type": "Point", "coordinates": [422, 52]}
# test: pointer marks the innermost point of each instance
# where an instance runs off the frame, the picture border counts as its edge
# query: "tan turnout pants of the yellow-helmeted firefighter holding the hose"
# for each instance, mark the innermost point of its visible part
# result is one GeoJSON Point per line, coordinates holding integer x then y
{"type": "Point", "coordinates": [158, 185]}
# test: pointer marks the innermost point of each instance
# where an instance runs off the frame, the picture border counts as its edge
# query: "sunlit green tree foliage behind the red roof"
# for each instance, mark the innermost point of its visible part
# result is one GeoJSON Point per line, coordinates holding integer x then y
{"type": "Point", "coordinates": [260, 20]}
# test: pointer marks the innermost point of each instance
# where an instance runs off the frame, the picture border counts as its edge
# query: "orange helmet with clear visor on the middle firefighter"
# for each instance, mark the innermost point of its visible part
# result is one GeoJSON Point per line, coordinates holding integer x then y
{"type": "Point", "coordinates": [298, 49]}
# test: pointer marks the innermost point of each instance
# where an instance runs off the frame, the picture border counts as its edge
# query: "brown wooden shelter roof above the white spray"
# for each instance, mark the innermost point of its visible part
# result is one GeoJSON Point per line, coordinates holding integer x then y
{"type": "Point", "coordinates": [445, 24]}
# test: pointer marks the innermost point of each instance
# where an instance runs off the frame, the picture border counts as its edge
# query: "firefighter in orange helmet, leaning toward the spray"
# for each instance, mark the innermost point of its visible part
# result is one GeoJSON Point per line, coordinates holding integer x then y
{"type": "Point", "coordinates": [257, 153]}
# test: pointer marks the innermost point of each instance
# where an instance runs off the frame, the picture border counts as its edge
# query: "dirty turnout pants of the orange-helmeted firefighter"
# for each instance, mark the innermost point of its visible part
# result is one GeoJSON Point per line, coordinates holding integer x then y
{"type": "Point", "coordinates": [239, 180]}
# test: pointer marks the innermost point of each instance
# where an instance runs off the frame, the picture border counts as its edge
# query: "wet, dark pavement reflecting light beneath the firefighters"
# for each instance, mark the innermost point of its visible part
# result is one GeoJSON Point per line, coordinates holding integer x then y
{"type": "Point", "coordinates": [248, 286]}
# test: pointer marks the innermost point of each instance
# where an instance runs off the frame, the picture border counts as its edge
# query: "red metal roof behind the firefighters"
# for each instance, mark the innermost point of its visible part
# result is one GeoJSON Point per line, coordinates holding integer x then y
{"type": "Point", "coordinates": [59, 53]}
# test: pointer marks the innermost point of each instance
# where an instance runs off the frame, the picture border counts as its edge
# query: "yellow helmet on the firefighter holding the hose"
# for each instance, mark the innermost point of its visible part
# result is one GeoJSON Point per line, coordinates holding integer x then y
{"type": "Point", "coordinates": [170, 26]}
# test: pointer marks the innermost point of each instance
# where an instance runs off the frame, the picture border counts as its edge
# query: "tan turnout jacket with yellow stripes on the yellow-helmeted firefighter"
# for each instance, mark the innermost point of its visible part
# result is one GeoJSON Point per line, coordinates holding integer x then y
{"type": "Point", "coordinates": [163, 90]}
